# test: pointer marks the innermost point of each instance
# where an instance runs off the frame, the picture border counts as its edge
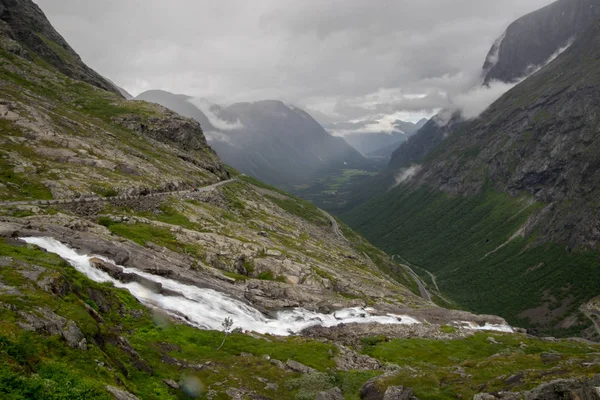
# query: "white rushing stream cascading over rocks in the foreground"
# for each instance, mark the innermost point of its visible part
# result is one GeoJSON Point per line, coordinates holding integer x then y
{"type": "Point", "coordinates": [207, 308]}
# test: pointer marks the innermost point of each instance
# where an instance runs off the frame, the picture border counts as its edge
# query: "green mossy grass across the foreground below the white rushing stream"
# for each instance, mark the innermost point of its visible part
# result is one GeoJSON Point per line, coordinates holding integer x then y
{"type": "Point", "coordinates": [38, 366]}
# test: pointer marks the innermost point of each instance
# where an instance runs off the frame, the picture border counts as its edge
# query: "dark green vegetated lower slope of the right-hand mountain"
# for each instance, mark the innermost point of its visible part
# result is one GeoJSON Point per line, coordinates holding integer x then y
{"type": "Point", "coordinates": [460, 239]}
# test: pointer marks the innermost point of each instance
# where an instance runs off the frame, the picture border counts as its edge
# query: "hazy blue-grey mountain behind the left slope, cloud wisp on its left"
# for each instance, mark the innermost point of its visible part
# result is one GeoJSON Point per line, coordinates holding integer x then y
{"type": "Point", "coordinates": [279, 144]}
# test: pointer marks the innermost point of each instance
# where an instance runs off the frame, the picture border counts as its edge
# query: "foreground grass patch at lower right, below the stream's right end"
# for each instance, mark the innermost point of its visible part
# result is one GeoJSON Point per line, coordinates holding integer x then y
{"type": "Point", "coordinates": [485, 362]}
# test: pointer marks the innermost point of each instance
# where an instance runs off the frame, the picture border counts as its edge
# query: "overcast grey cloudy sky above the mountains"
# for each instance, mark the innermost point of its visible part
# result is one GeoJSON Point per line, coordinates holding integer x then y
{"type": "Point", "coordinates": [342, 60]}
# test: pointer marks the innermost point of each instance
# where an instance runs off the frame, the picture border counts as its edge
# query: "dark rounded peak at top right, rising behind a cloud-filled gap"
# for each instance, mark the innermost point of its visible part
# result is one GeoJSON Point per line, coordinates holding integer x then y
{"type": "Point", "coordinates": [532, 39]}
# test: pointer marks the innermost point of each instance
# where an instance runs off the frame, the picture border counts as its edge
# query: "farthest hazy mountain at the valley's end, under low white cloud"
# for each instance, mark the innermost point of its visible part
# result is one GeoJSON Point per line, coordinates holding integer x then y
{"type": "Point", "coordinates": [368, 142]}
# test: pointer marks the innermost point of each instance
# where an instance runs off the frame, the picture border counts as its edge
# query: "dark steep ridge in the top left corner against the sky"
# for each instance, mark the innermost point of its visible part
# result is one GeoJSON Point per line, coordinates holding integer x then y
{"type": "Point", "coordinates": [24, 22]}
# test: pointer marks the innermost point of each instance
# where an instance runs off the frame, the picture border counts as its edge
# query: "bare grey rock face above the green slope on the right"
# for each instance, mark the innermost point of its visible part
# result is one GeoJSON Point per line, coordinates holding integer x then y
{"type": "Point", "coordinates": [541, 138]}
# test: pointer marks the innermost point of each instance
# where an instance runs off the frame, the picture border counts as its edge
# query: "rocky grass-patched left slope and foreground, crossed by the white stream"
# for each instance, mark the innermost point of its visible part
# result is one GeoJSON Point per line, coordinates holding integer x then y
{"type": "Point", "coordinates": [133, 265]}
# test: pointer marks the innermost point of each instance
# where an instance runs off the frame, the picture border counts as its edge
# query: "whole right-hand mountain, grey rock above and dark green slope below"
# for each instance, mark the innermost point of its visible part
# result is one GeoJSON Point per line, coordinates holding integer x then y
{"type": "Point", "coordinates": [503, 210]}
